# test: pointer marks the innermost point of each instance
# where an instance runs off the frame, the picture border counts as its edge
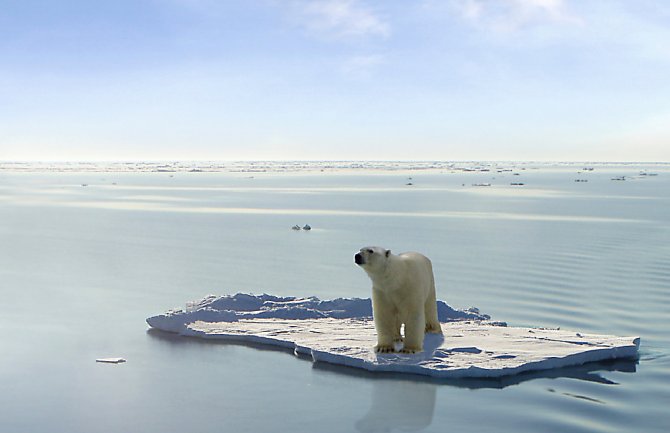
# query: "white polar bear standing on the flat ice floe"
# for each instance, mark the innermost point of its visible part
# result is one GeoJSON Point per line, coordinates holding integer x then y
{"type": "Point", "coordinates": [403, 292]}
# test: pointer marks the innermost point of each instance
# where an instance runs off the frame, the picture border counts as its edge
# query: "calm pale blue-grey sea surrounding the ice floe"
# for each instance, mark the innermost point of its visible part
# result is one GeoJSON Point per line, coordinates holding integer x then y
{"type": "Point", "coordinates": [86, 256]}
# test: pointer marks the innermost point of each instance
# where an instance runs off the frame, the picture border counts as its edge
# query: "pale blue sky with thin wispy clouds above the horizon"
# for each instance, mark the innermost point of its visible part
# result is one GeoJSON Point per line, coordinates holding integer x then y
{"type": "Point", "coordinates": [552, 80]}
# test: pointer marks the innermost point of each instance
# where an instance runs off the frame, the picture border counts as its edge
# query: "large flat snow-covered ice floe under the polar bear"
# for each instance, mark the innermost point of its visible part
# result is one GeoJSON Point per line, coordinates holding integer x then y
{"type": "Point", "coordinates": [341, 331]}
